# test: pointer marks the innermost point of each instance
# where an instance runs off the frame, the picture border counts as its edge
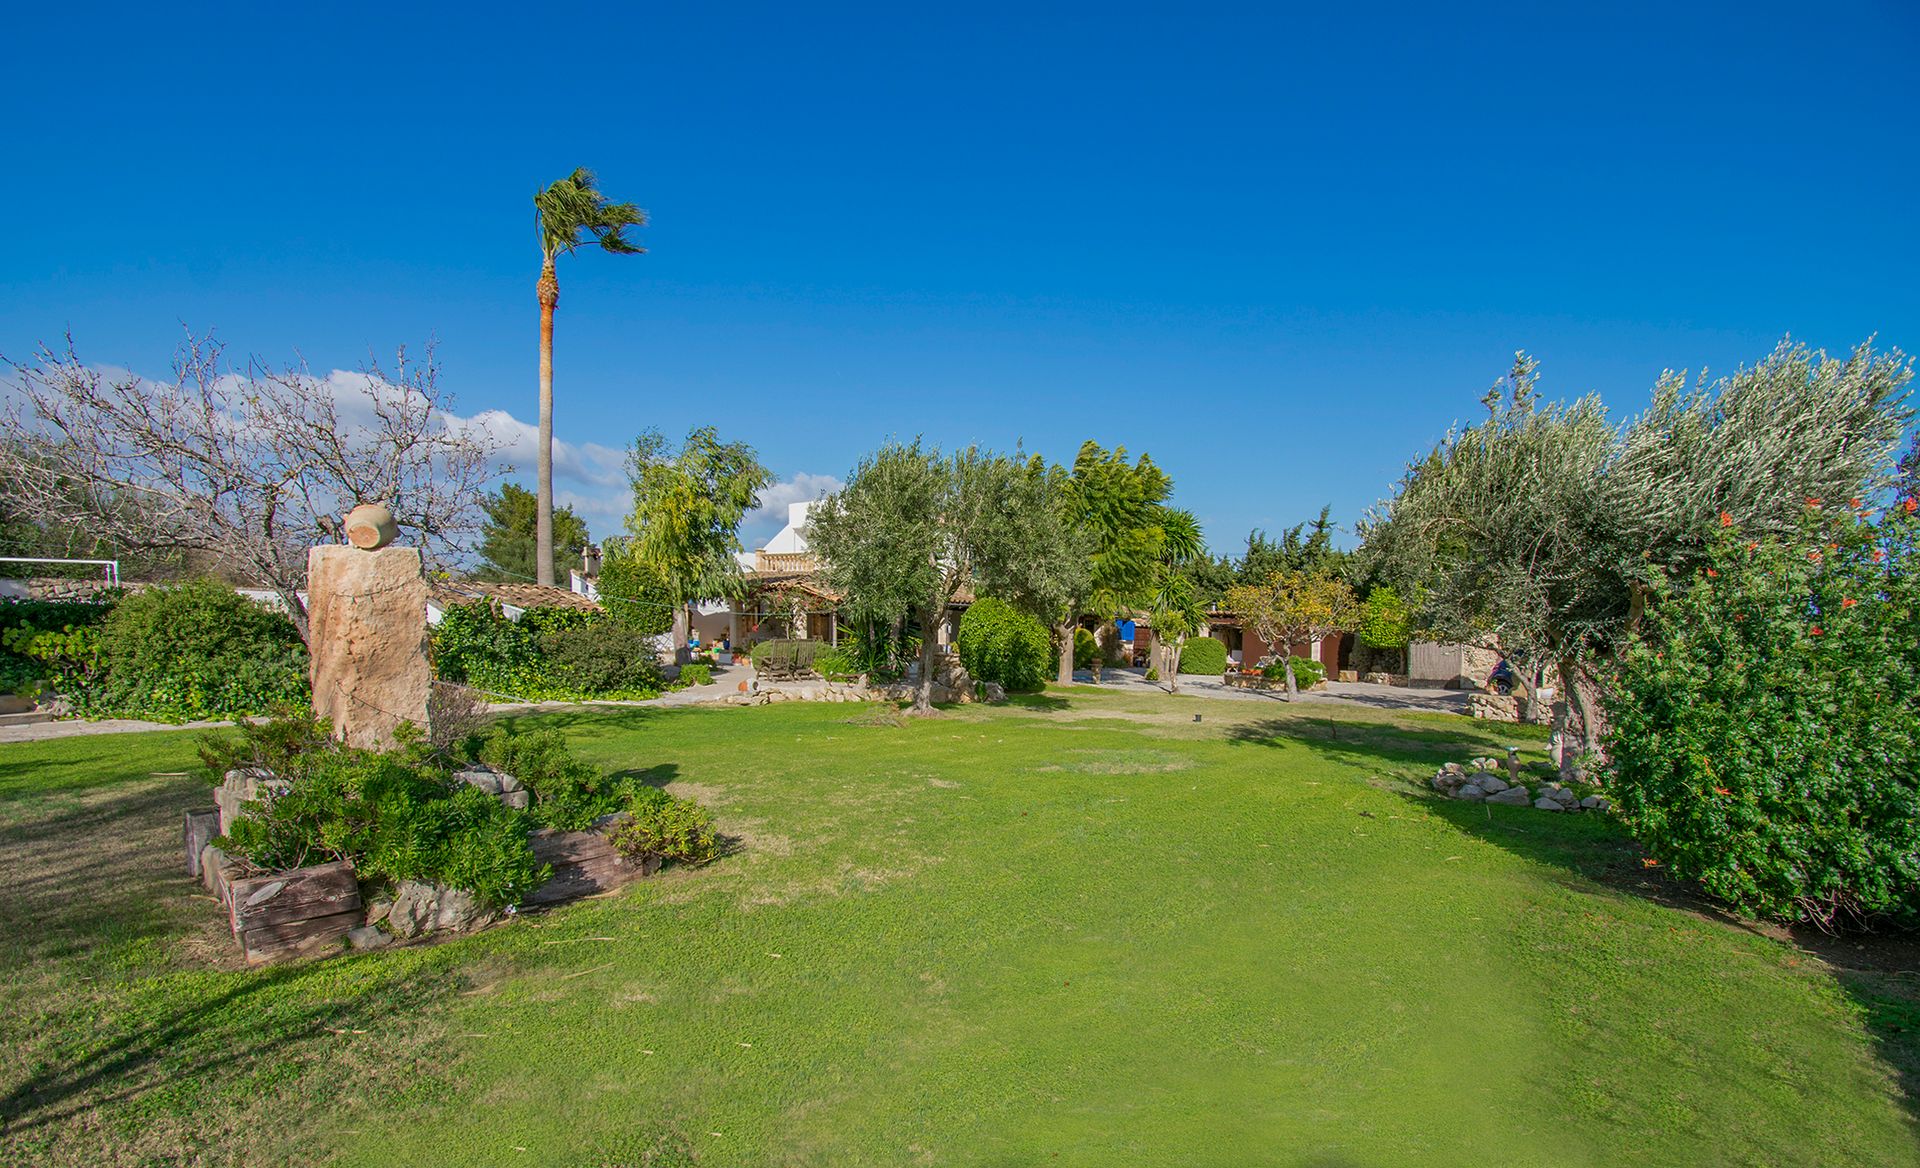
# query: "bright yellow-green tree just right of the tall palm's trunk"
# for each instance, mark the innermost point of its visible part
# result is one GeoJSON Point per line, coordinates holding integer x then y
{"type": "Point", "coordinates": [688, 506]}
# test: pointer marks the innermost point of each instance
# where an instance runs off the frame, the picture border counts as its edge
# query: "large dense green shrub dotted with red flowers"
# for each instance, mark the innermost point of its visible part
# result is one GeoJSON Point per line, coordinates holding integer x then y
{"type": "Point", "coordinates": [1765, 731]}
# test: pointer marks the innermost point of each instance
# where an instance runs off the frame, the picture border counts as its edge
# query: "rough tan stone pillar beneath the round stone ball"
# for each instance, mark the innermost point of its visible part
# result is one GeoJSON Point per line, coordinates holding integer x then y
{"type": "Point", "coordinates": [368, 643]}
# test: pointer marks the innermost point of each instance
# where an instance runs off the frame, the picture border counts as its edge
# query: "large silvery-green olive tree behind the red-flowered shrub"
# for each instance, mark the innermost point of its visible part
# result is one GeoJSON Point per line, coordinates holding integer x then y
{"type": "Point", "coordinates": [1543, 529]}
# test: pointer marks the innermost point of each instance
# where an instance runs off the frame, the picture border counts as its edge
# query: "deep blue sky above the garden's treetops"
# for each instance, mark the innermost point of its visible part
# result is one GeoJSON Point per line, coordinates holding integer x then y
{"type": "Point", "coordinates": [1278, 249]}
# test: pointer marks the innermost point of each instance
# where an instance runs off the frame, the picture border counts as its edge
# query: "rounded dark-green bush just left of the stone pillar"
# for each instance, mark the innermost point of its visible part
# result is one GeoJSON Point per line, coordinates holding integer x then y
{"type": "Point", "coordinates": [178, 654]}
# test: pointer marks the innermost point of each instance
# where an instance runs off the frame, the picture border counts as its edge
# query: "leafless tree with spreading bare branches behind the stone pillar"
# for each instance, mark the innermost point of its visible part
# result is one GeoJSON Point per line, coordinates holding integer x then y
{"type": "Point", "coordinates": [249, 466]}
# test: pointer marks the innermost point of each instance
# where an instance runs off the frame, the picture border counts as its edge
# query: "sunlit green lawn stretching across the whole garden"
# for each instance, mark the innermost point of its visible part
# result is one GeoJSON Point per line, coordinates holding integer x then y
{"type": "Point", "coordinates": [1084, 931]}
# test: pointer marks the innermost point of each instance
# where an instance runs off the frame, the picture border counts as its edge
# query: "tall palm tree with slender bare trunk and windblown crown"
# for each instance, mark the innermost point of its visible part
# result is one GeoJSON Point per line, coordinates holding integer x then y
{"type": "Point", "coordinates": [569, 214]}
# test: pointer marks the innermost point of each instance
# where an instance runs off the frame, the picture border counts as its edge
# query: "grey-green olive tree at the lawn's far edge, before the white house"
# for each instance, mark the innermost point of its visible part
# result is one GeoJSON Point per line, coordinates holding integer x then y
{"type": "Point", "coordinates": [915, 527]}
